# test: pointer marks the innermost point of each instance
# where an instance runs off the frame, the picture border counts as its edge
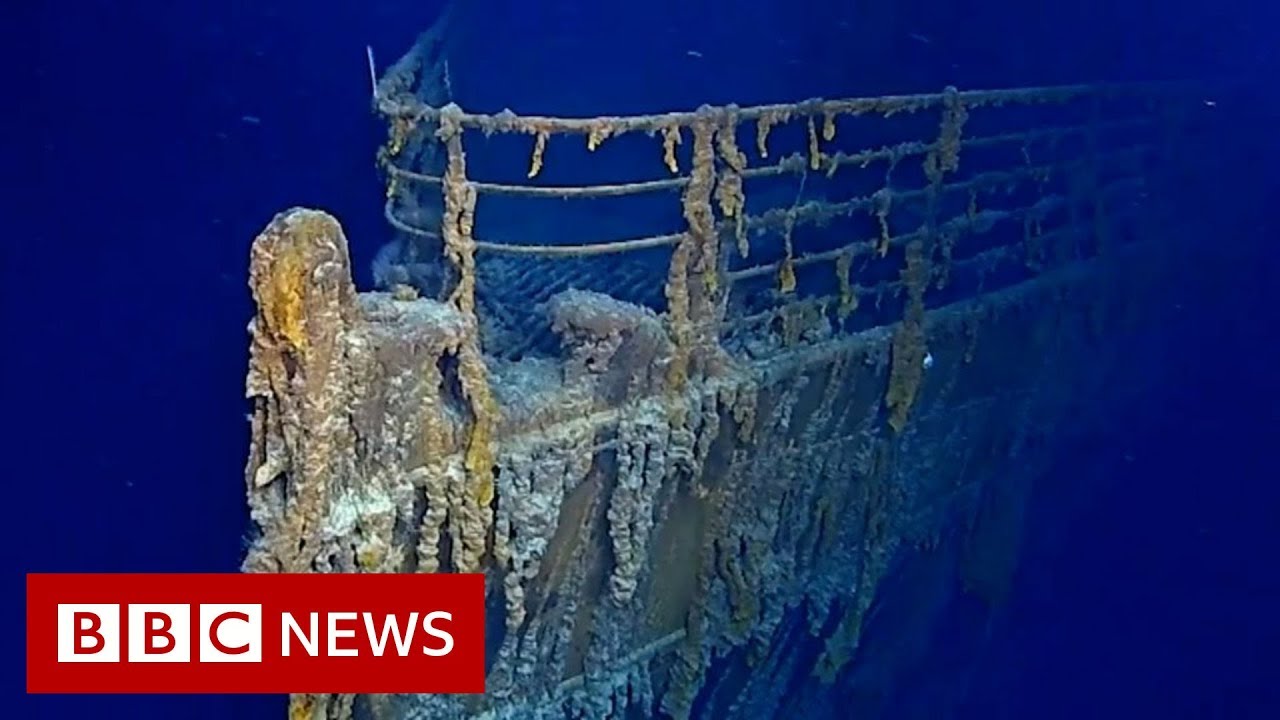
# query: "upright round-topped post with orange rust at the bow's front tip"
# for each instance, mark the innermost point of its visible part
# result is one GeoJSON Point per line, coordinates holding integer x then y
{"type": "Point", "coordinates": [300, 275]}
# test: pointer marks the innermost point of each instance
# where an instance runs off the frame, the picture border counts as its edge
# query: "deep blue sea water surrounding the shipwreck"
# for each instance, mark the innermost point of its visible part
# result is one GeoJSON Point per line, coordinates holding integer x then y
{"type": "Point", "coordinates": [148, 143]}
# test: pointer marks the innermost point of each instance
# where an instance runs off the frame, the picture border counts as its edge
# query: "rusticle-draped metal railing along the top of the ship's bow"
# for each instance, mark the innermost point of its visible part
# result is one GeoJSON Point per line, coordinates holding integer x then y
{"type": "Point", "coordinates": [825, 227]}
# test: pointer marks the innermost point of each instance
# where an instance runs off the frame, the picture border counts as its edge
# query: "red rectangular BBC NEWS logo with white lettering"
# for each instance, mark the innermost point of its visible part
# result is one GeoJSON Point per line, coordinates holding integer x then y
{"type": "Point", "coordinates": [232, 634]}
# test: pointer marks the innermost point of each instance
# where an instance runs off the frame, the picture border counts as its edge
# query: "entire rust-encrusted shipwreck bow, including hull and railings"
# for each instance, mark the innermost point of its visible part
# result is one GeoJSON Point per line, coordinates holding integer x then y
{"type": "Point", "coordinates": [691, 464]}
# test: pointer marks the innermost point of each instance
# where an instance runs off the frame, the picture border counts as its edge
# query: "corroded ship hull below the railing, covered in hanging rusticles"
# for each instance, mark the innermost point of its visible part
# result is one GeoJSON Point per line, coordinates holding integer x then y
{"type": "Point", "coordinates": [753, 520]}
